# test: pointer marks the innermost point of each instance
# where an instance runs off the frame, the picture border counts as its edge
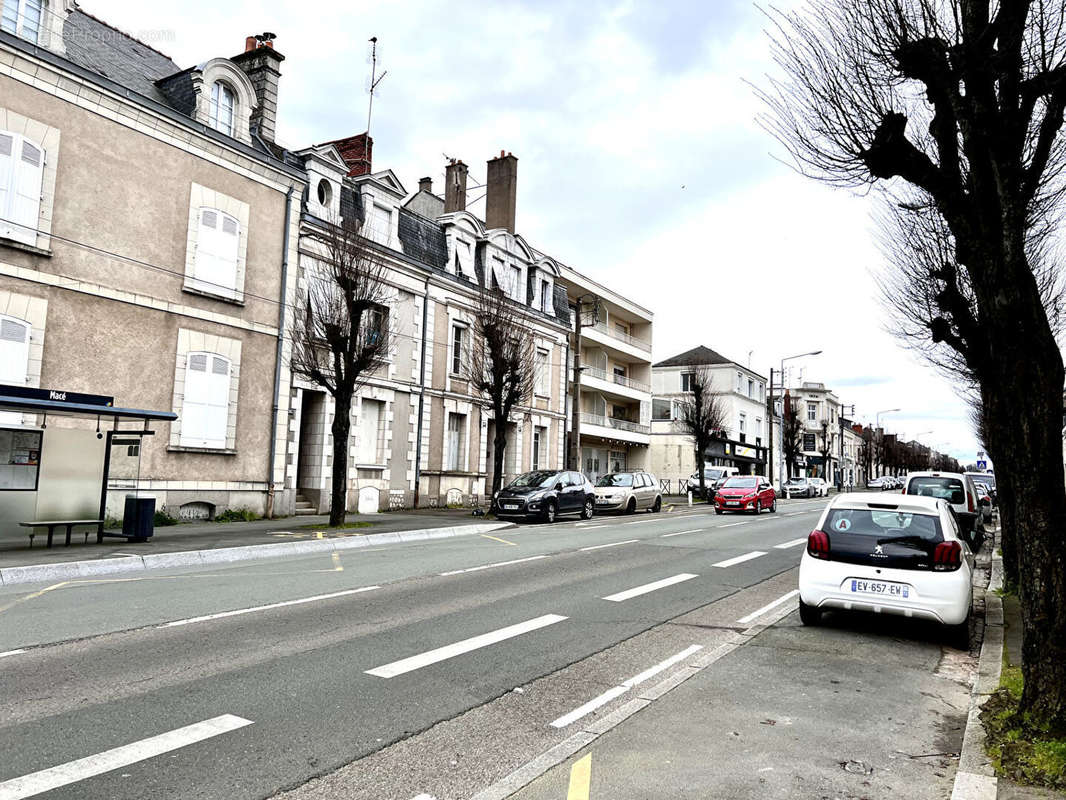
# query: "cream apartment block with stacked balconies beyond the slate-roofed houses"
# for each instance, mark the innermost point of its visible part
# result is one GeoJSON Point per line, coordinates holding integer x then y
{"type": "Point", "coordinates": [615, 389]}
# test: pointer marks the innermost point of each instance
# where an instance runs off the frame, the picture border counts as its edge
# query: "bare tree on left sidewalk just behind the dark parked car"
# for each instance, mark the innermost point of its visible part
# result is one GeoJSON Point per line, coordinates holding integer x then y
{"type": "Point", "coordinates": [502, 365]}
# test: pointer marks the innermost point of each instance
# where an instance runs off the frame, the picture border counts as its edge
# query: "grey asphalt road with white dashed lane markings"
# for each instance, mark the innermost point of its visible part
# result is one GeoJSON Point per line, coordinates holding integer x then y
{"type": "Point", "coordinates": [154, 687]}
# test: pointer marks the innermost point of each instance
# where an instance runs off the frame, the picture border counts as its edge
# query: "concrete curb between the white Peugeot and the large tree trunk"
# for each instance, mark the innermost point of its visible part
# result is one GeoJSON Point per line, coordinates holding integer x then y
{"type": "Point", "coordinates": [976, 780]}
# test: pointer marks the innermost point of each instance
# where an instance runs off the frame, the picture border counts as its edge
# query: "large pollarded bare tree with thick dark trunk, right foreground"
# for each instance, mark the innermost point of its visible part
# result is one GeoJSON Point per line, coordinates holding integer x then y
{"type": "Point", "coordinates": [955, 109]}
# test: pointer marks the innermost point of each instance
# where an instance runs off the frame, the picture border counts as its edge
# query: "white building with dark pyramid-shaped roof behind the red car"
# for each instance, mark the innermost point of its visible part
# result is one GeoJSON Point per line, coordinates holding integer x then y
{"type": "Point", "coordinates": [744, 442]}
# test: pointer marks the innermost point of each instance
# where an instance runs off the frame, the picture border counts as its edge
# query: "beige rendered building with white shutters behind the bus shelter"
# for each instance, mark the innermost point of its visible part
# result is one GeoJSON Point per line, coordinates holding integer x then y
{"type": "Point", "coordinates": [144, 218]}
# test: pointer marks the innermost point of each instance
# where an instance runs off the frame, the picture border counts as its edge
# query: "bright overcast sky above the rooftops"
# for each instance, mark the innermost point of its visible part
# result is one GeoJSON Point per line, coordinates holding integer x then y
{"type": "Point", "coordinates": [640, 164]}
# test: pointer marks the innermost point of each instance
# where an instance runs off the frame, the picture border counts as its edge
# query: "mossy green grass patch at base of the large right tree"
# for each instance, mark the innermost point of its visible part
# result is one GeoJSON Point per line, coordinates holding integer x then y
{"type": "Point", "coordinates": [1020, 750]}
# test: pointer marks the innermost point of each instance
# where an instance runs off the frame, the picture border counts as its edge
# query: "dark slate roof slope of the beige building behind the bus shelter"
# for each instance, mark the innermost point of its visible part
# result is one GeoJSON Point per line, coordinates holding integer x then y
{"type": "Point", "coordinates": [99, 47]}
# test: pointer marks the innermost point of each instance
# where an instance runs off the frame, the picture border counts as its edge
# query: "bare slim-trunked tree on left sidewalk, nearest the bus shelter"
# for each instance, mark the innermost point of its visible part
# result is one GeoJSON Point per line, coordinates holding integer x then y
{"type": "Point", "coordinates": [342, 334]}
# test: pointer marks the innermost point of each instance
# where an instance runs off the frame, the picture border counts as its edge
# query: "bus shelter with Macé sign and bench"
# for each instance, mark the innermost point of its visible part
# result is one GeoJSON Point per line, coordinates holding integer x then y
{"type": "Point", "coordinates": [59, 454]}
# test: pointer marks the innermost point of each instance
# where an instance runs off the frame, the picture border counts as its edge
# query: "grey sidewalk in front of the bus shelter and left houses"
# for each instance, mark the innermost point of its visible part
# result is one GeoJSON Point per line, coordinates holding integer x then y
{"type": "Point", "coordinates": [212, 536]}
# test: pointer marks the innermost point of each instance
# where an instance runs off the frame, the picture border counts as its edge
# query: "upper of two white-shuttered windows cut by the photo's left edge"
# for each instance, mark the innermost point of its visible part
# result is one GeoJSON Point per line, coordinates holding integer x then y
{"type": "Point", "coordinates": [22, 171]}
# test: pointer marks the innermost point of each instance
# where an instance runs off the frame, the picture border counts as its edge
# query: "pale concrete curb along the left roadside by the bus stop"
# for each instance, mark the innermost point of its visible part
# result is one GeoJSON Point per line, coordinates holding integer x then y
{"type": "Point", "coordinates": [72, 570]}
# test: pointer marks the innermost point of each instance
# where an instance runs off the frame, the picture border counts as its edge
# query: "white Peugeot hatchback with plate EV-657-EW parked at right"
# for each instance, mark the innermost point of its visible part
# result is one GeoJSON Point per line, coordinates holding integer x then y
{"type": "Point", "coordinates": [903, 556]}
